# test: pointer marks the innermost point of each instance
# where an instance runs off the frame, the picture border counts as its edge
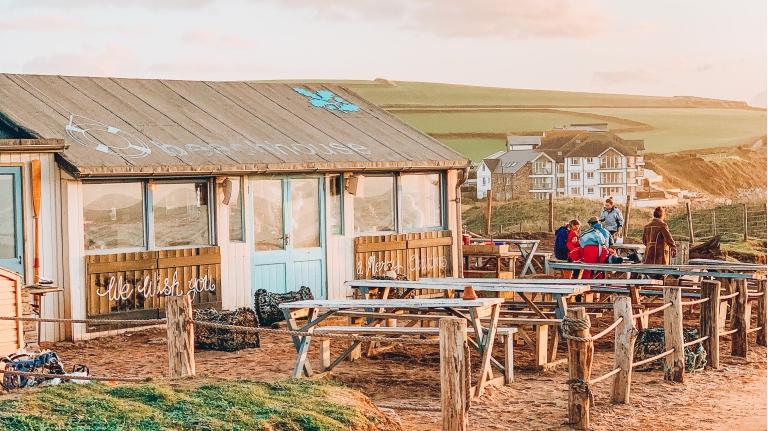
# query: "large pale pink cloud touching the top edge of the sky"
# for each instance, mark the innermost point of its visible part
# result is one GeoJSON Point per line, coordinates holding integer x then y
{"type": "Point", "coordinates": [462, 18]}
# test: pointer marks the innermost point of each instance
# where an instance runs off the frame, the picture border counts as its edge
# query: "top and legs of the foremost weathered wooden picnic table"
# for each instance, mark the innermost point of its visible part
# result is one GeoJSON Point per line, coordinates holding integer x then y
{"type": "Point", "coordinates": [319, 310]}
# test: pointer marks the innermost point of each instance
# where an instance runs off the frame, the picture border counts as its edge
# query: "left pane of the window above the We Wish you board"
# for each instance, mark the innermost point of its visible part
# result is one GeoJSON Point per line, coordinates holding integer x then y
{"type": "Point", "coordinates": [113, 215]}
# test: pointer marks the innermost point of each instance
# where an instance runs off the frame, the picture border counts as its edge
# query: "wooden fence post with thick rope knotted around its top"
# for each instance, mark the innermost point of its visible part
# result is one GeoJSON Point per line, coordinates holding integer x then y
{"type": "Point", "coordinates": [579, 372]}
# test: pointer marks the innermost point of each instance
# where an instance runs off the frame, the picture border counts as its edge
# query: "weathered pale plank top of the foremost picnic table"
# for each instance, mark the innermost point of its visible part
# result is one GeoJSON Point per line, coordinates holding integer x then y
{"type": "Point", "coordinates": [391, 303]}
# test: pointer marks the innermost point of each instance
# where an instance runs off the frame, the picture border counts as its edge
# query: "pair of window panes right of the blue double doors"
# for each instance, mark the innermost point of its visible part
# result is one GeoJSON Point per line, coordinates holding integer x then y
{"type": "Point", "coordinates": [406, 202]}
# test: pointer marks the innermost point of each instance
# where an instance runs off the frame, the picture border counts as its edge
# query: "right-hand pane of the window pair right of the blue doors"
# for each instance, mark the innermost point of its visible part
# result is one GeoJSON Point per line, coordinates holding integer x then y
{"type": "Point", "coordinates": [420, 201]}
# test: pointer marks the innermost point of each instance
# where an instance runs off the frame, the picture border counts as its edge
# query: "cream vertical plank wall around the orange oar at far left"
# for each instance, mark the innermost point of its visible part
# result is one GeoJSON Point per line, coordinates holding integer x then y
{"type": "Point", "coordinates": [51, 265]}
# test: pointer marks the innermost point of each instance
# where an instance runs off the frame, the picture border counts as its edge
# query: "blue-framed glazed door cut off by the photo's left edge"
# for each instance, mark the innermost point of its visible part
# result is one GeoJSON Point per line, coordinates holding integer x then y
{"type": "Point", "coordinates": [11, 227]}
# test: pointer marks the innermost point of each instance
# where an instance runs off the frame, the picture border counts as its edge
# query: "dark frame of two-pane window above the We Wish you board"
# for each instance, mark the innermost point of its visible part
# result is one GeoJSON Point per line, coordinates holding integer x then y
{"type": "Point", "coordinates": [149, 216]}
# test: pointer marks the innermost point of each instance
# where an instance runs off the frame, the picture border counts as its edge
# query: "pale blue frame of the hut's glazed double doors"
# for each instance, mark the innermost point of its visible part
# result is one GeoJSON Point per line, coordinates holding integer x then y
{"type": "Point", "coordinates": [287, 253]}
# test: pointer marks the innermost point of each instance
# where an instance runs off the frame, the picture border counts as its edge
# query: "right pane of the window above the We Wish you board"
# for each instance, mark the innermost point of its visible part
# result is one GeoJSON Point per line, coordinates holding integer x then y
{"type": "Point", "coordinates": [180, 214]}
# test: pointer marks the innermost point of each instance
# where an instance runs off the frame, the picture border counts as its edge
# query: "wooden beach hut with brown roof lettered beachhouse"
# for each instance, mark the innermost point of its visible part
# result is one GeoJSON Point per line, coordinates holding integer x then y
{"type": "Point", "coordinates": [148, 187]}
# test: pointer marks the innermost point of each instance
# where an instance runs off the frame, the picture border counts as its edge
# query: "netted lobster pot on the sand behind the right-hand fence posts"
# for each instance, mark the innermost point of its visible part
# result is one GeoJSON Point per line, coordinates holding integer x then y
{"type": "Point", "coordinates": [650, 342]}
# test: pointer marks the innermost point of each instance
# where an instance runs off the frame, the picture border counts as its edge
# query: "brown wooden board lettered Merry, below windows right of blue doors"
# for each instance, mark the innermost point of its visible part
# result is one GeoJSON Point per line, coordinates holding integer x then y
{"type": "Point", "coordinates": [415, 255]}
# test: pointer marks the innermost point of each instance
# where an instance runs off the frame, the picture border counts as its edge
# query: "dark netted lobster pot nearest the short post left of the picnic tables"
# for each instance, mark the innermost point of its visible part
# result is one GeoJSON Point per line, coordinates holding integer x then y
{"type": "Point", "coordinates": [224, 339]}
